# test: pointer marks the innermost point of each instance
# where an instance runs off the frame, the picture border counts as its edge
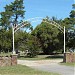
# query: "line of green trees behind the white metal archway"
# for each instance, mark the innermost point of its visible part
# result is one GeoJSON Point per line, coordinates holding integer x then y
{"type": "Point", "coordinates": [44, 38]}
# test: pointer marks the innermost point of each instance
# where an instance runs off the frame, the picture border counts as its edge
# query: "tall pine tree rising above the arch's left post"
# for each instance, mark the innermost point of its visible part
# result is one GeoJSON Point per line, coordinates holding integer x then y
{"type": "Point", "coordinates": [13, 13]}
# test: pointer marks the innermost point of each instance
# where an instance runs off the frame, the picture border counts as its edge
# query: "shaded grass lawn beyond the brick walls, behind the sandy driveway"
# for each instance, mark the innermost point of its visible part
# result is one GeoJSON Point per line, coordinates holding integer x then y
{"type": "Point", "coordinates": [39, 57]}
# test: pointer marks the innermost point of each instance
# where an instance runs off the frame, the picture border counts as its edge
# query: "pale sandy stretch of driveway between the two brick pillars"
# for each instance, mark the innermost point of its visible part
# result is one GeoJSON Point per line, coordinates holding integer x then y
{"type": "Point", "coordinates": [38, 62]}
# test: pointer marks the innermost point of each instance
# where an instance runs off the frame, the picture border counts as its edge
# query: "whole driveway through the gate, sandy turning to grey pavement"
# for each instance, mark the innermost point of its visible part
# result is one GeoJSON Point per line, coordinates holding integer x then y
{"type": "Point", "coordinates": [49, 66]}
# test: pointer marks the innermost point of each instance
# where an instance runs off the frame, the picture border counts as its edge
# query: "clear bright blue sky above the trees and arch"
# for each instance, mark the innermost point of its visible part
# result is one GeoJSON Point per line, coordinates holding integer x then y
{"type": "Point", "coordinates": [43, 8]}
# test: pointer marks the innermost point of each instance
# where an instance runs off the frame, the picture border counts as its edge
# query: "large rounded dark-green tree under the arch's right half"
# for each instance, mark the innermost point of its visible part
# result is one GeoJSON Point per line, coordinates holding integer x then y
{"type": "Point", "coordinates": [47, 34]}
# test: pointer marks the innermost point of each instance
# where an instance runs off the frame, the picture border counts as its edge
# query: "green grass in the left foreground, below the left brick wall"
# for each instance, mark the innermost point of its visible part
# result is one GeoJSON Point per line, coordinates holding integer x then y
{"type": "Point", "coordinates": [22, 70]}
